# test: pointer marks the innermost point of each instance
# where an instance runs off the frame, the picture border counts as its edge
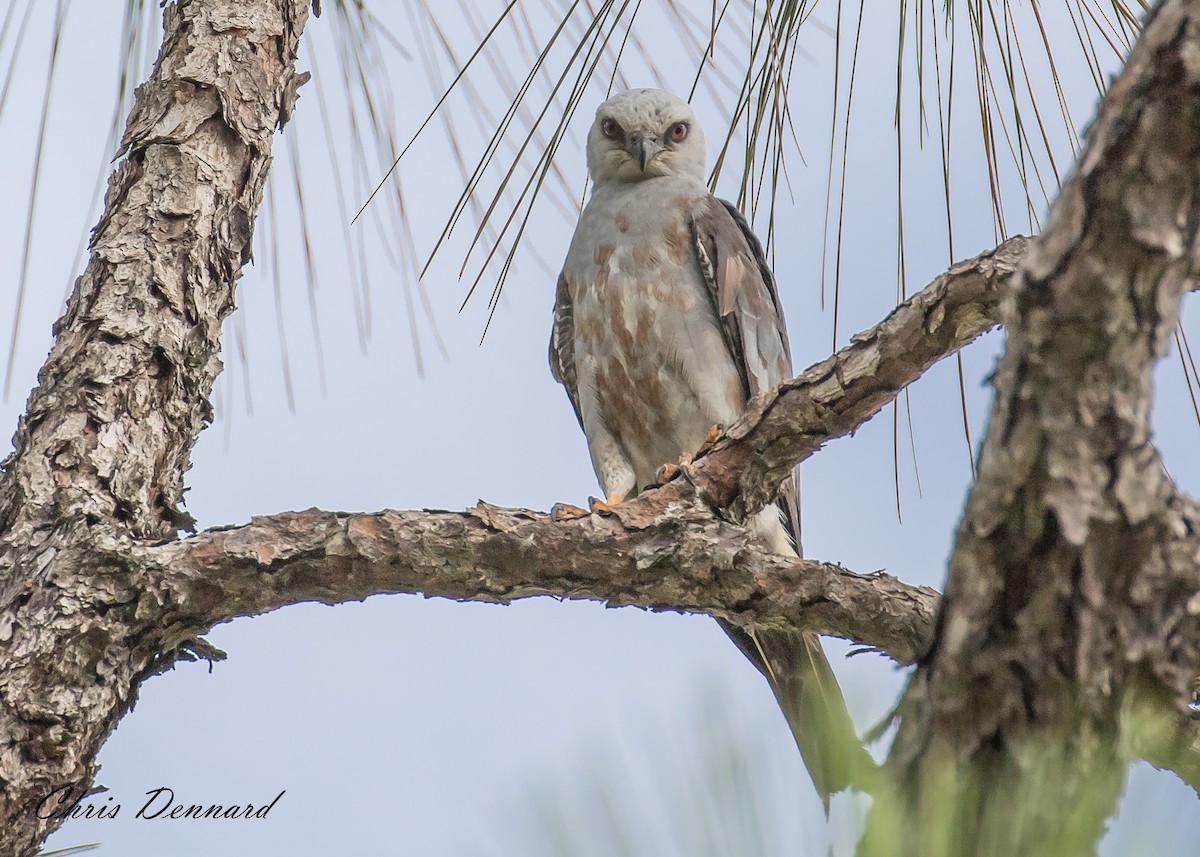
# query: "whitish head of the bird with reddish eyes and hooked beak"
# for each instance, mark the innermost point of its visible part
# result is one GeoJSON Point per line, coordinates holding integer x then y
{"type": "Point", "coordinates": [645, 134]}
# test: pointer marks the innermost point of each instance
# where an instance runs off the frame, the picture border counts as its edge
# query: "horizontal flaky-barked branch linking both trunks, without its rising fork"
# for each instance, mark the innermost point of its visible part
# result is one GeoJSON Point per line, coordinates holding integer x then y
{"type": "Point", "coordinates": [685, 561]}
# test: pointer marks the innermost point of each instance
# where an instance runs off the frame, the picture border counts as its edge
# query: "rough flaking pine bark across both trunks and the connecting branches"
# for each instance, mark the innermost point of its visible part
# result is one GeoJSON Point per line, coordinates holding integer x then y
{"type": "Point", "coordinates": [1073, 591]}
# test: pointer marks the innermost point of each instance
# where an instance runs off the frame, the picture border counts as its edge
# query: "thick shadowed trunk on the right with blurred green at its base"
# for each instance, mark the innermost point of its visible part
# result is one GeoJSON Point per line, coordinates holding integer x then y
{"type": "Point", "coordinates": [1067, 586]}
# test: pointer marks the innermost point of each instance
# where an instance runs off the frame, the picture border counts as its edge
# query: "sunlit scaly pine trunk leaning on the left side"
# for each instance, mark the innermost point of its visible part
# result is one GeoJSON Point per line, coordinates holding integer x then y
{"type": "Point", "coordinates": [101, 453]}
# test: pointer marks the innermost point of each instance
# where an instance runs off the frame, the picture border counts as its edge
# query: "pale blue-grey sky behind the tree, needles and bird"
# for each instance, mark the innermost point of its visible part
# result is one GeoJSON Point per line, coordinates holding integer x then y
{"type": "Point", "coordinates": [413, 727]}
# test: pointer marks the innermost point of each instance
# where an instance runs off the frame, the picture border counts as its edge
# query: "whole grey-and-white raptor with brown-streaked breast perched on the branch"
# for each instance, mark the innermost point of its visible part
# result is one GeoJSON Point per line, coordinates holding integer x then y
{"type": "Point", "coordinates": [667, 322]}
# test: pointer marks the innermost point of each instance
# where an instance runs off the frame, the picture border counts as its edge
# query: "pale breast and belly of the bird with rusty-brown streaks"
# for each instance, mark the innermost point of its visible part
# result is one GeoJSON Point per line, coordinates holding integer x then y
{"type": "Point", "coordinates": [653, 367]}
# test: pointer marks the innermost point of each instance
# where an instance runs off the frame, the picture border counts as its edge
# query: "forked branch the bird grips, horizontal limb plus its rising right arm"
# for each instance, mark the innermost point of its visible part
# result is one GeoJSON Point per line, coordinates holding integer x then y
{"type": "Point", "coordinates": [661, 552]}
